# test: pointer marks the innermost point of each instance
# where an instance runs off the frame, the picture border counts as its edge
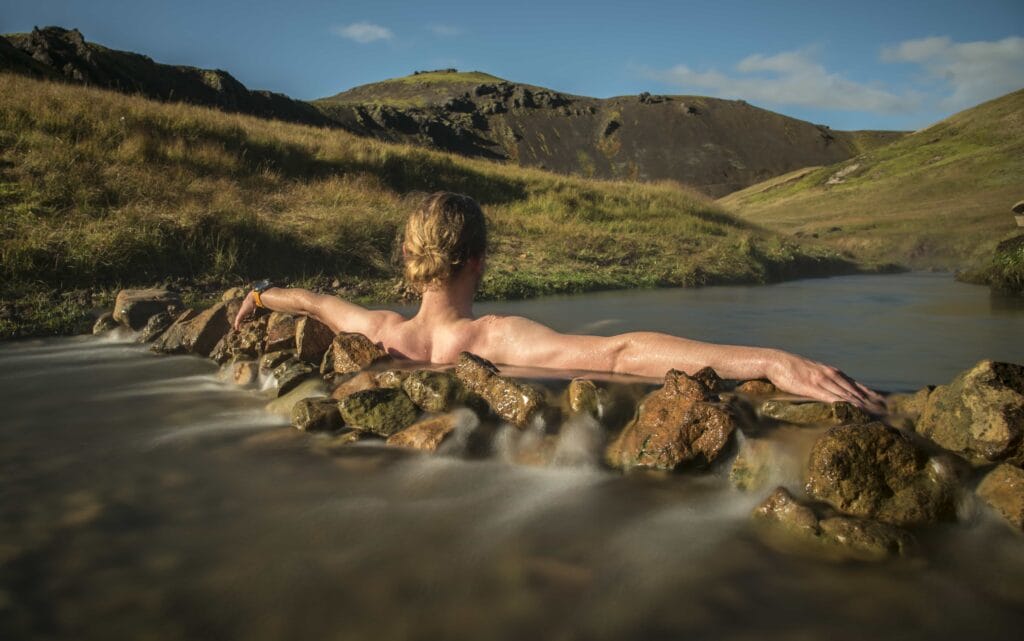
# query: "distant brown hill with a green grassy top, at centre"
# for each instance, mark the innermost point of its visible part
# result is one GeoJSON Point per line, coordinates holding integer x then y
{"type": "Point", "coordinates": [714, 146]}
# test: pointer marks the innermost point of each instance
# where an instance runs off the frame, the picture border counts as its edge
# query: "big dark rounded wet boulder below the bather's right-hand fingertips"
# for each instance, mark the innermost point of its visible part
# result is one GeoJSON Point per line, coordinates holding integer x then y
{"type": "Point", "coordinates": [876, 472]}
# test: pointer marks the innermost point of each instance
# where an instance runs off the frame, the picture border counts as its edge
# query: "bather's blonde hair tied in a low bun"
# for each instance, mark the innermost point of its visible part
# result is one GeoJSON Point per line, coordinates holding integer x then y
{"type": "Point", "coordinates": [442, 236]}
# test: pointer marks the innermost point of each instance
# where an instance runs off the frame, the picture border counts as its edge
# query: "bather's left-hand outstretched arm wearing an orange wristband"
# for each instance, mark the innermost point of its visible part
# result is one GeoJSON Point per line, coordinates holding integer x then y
{"type": "Point", "coordinates": [331, 311]}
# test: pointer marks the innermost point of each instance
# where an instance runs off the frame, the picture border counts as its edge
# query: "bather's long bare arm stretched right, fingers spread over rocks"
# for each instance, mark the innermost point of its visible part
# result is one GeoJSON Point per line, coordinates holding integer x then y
{"type": "Point", "coordinates": [519, 341]}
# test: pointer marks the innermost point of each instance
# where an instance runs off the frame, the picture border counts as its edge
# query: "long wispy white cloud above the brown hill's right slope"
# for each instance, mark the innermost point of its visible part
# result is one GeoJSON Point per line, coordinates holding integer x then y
{"type": "Point", "coordinates": [790, 78]}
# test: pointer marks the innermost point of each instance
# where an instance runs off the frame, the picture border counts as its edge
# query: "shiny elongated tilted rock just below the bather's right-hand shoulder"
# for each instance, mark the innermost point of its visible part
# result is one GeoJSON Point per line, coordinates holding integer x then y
{"type": "Point", "coordinates": [511, 401]}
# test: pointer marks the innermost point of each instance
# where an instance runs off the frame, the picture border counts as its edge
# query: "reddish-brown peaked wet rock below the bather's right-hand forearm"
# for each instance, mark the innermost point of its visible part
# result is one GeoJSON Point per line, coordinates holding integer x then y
{"type": "Point", "coordinates": [675, 425]}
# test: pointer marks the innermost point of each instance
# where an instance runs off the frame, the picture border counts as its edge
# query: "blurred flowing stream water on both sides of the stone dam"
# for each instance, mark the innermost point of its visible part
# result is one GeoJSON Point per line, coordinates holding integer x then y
{"type": "Point", "coordinates": [143, 498]}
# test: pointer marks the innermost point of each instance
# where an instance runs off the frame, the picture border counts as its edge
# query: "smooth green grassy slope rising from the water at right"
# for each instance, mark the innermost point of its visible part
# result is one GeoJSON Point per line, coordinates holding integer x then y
{"type": "Point", "coordinates": [938, 198]}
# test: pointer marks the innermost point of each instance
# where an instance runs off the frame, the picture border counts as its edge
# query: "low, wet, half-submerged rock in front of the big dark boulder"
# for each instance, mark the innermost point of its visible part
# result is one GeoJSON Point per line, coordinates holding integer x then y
{"type": "Point", "coordinates": [796, 527]}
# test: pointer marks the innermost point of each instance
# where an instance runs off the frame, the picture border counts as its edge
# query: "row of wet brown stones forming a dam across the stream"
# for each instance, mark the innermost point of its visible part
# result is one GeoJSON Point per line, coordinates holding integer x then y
{"type": "Point", "coordinates": [870, 485]}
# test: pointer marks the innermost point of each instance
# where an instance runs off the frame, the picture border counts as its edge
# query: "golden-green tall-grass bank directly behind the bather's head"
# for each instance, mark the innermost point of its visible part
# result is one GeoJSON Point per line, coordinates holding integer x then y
{"type": "Point", "coordinates": [101, 191]}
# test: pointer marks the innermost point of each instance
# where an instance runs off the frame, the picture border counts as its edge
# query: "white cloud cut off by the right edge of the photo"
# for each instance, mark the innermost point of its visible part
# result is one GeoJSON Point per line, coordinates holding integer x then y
{"type": "Point", "coordinates": [971, 72]}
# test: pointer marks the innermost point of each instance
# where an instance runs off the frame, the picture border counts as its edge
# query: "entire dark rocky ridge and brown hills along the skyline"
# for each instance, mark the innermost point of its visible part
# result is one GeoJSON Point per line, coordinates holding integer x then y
{"type": "Point", "coordinates": [714, 146]}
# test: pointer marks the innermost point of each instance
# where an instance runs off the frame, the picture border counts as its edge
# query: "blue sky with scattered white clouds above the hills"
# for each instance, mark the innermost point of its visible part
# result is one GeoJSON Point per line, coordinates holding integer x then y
{"type": "Point", "coordinates": [865, 65]}
